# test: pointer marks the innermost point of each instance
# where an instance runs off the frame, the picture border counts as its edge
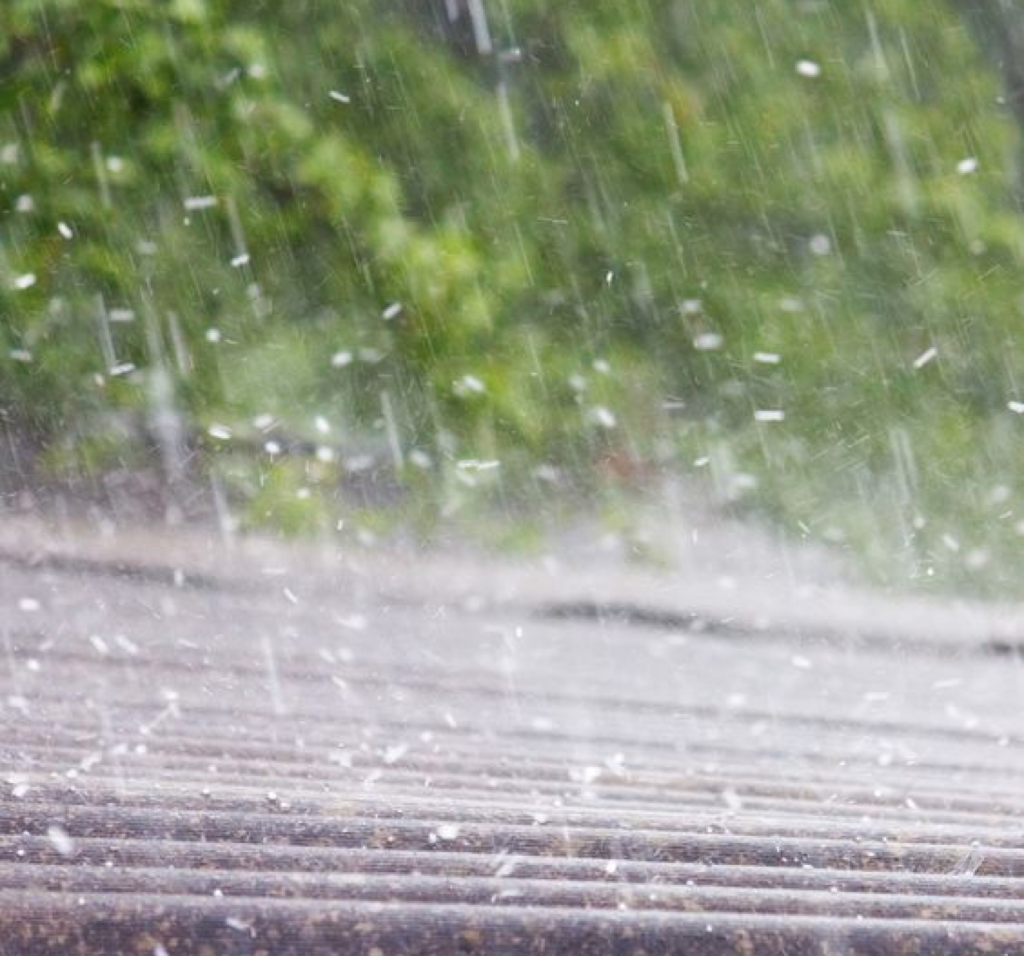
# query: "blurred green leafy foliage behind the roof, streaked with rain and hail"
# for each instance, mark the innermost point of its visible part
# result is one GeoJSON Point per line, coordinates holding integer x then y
{"type": "Point", "coordinates": [494, 253]}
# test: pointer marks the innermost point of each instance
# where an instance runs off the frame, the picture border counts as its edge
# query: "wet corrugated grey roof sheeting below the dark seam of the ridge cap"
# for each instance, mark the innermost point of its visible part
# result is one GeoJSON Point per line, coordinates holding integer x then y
{"type": "Point", "coordinates": [288, 765]}
